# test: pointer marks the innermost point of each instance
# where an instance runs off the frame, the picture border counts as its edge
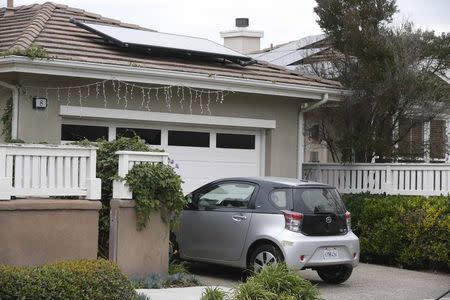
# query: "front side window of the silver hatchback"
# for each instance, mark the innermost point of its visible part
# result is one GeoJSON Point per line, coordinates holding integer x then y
{"type": "Point", "coordinates": [229, 194]}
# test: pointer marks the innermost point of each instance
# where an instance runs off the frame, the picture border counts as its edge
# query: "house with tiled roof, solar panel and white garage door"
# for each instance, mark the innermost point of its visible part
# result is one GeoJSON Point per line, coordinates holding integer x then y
{"type": "Point", "coordinates": [217, 113]}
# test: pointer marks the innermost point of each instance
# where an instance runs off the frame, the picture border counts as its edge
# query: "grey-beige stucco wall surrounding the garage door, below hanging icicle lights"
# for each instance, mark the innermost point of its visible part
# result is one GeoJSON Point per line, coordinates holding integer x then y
{"type": "Point", "coordinates": [281, 151]}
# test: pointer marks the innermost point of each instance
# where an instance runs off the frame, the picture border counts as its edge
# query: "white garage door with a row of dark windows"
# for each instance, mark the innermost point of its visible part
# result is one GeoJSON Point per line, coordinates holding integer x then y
{"type": "Point", "coordinates": [202, 154]}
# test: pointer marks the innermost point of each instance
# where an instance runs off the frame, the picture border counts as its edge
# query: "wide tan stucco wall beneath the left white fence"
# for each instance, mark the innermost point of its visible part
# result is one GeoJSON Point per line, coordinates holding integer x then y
{"type": "Point", "coordinates": [40, 231]}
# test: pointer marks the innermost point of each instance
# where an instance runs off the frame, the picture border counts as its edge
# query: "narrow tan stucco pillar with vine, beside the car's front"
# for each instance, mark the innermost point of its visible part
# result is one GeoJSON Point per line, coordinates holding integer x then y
{"type": "Point", "coordinates": [137, 253]}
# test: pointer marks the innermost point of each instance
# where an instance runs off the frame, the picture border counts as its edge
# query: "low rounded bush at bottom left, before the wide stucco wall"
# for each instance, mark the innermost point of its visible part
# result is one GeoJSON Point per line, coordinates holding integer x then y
{"type": "Point", "coordinates": [84, 279]}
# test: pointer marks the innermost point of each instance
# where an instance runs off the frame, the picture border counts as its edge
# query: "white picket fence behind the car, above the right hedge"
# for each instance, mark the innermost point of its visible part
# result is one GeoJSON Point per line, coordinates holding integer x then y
{"type": "Point", "coordinates": [402, 179]}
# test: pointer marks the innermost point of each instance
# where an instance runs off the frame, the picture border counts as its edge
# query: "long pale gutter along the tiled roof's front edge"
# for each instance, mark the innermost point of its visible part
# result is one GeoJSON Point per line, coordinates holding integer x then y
{"type": "Point", "coordinates": [165, 77]}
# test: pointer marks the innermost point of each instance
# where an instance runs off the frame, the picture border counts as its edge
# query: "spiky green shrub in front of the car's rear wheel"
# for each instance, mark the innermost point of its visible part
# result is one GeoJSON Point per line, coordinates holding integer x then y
{"type": "Point", "coordinates": [276, 282]}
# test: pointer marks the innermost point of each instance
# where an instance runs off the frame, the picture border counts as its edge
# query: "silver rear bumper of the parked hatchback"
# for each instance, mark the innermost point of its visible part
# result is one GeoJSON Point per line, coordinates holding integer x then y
{"type": "Point", "coordinates": [296, 246]}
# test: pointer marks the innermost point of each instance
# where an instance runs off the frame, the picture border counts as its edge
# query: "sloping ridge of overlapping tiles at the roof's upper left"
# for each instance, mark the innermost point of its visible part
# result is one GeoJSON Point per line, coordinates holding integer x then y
{"type": "Point", "coordinates": [35, 27]}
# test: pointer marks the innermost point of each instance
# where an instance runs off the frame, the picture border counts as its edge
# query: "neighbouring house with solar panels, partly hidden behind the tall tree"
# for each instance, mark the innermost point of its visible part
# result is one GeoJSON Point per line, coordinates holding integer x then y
{"type": "Point", "coordinates": [426, 141]}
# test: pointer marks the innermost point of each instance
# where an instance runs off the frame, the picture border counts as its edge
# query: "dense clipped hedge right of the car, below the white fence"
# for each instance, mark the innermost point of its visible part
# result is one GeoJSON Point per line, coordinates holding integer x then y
{"type": "Point", "coordinates": [407, 231]}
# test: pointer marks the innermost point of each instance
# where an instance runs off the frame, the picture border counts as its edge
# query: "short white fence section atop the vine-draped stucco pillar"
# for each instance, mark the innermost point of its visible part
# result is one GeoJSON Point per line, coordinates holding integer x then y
{"type": "Point", "coordinates": [127, 159]}
